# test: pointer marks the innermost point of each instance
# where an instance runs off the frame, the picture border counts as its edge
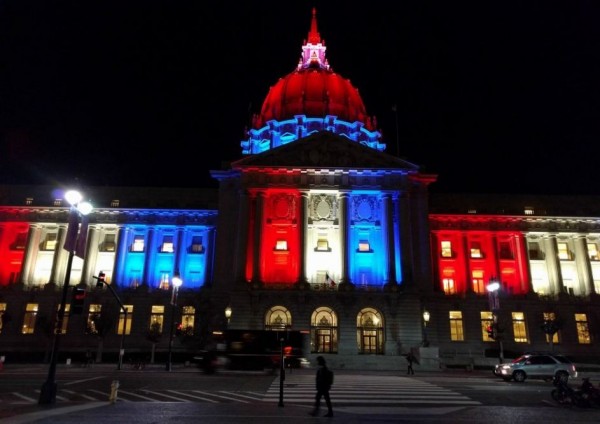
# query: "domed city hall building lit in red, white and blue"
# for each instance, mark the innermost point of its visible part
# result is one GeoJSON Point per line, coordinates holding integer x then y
{"type": "Point", "coordinates": [315, 229]}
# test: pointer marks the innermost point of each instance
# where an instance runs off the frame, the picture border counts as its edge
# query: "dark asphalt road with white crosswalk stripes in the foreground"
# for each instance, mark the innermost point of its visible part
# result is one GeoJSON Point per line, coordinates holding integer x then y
{"type": "Point", "coordinates": [188, 395]}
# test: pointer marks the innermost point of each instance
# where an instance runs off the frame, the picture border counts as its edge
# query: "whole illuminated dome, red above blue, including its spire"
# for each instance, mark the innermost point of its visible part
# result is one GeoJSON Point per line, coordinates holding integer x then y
{"type": "Point", "coordinates": [311, 98]}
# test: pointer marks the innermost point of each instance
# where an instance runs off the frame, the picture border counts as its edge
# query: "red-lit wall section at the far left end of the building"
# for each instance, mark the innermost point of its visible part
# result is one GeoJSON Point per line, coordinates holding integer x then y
{"type": "Point", "coordinates": [12, 251]}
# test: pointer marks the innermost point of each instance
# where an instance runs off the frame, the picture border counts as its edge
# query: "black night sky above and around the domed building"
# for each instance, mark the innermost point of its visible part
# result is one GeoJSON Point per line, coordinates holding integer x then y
{"type": "Point", "coordinates": [491, 96]}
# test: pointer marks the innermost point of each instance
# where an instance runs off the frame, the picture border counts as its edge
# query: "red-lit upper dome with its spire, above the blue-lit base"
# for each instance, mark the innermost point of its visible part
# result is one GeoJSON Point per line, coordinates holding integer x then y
{"type": "Point", "coordinates": [314, 90]}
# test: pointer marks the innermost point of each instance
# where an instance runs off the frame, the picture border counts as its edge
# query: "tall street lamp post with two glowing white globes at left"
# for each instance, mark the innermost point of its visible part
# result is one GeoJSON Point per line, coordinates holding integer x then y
{"type": "Point", "coordinates": [77, 209]}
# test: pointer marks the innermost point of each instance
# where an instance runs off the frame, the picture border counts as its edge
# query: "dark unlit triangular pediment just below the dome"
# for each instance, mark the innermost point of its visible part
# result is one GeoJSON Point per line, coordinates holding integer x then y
{"type": "Point", "coordinates": [325, 150]}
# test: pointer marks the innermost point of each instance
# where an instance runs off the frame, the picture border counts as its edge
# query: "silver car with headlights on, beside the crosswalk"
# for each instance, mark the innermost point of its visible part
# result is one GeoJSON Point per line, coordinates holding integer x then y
{"type": "Point", "coordinates": [537, 366]}
